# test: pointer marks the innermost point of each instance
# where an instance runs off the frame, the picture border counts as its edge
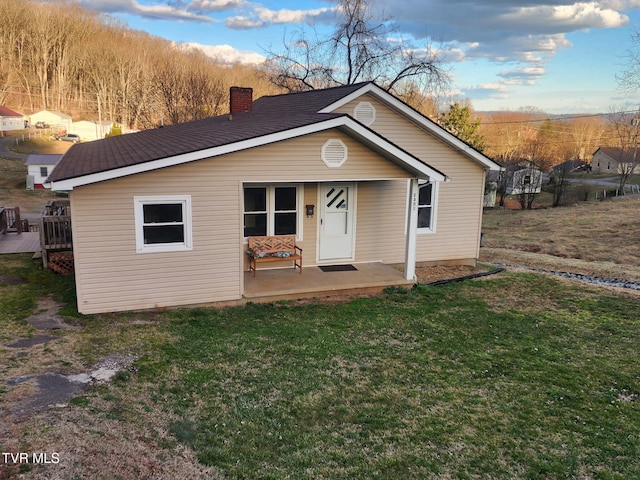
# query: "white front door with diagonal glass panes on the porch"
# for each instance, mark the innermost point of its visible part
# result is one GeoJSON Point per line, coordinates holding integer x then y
{"type": "Point", "coordinates": [336, 222]}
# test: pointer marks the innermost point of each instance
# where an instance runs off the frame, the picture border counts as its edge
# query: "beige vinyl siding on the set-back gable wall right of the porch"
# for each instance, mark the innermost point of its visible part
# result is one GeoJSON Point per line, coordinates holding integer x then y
{"type": "Point", "coordinates": [459, 202]}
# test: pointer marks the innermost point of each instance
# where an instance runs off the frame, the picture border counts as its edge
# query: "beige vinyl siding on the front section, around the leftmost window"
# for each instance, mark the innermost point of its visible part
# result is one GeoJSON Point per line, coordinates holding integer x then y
{"type": "Point", "coordinates": [111, 276]}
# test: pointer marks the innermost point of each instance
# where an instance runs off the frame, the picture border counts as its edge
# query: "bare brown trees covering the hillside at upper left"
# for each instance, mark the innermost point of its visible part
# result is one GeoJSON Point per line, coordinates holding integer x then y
{"type": "Point", "coordinates": [63, 57]}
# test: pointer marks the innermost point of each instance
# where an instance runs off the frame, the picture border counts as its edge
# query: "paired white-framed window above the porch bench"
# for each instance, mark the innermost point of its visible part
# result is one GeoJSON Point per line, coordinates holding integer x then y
{"type": "Point", "coordinates": [272, 210]}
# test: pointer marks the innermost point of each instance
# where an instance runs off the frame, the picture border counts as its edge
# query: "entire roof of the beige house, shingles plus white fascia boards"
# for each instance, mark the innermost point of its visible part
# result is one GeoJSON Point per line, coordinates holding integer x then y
{"type": "Point", "coordinates": [272, 119]}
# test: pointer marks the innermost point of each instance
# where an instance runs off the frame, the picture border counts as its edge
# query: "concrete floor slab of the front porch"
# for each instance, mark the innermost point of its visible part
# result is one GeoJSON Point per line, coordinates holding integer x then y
{"type": "Point", "coordinates": [287, 284]}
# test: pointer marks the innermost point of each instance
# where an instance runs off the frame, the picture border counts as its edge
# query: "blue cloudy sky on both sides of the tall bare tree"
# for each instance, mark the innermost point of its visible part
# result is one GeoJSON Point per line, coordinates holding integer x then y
{"type": "Point", "coordinates": [561, 56]}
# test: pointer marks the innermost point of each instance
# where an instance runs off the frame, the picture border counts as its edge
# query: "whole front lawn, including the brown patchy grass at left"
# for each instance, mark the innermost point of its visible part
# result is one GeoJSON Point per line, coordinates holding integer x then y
{"type": "Point", "coordinates": [511, 376]}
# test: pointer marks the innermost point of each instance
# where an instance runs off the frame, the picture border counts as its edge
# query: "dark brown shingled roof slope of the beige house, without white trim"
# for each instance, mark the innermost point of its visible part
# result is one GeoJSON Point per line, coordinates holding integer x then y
{"type": "Point", "coordinates": [269, 115]}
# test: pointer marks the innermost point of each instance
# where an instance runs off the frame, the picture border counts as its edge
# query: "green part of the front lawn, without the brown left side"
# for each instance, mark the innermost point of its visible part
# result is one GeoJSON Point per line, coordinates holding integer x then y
{"type": "Point", "coordinates": [431, 383]}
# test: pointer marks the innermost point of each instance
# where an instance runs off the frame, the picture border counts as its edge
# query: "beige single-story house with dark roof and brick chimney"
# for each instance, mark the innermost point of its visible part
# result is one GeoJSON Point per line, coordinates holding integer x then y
{"type": "Point", "coordinates": [162, 217]}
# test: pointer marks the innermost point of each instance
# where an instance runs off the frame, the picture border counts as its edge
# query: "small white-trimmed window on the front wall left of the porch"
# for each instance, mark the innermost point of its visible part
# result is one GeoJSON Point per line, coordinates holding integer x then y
{"type": "Point", "coordinates": [163, 223]}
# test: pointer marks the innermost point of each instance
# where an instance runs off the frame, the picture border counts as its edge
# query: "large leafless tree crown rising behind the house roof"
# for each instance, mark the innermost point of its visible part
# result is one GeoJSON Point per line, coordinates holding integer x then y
{"type": "Point", "coordinates": [359, 49]}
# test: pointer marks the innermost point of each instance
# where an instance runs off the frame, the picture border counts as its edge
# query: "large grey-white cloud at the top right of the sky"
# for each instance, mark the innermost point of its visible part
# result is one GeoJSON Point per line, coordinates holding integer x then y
{"type": "Point", "coordinates": [505, 30]}
